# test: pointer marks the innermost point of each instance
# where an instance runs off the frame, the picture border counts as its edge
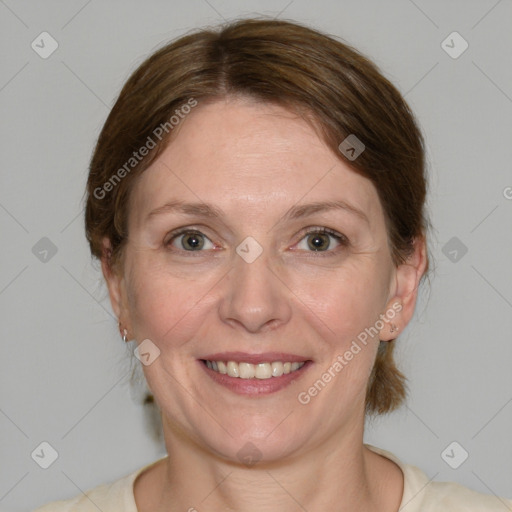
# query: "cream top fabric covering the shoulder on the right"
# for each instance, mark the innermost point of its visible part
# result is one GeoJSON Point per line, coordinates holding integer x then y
{"type": "Point", "coordinates": [421, 494]}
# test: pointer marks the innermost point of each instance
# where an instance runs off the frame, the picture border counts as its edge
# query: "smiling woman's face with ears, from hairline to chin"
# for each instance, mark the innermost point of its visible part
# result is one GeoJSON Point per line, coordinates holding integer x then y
{"type": "Point", "coordinates": [251, 243]}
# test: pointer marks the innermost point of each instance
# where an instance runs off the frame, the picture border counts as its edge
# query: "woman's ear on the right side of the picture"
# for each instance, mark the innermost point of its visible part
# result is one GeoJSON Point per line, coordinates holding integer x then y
{"type": "Point", "coordinates": [400, 307]}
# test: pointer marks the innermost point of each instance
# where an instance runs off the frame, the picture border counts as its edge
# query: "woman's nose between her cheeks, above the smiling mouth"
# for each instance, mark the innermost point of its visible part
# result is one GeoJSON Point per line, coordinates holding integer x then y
{"type": "Point", "coordinates": [255, 298]}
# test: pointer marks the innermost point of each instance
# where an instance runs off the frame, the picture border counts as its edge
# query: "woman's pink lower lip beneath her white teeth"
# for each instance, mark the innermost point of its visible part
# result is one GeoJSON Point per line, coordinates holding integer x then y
{"type": "Point", "coordinates": [255, 386]}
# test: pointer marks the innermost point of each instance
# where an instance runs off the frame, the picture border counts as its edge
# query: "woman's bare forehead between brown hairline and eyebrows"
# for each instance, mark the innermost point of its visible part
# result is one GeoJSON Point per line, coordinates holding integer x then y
{"type": "Point", "coordinates": [249, 155]}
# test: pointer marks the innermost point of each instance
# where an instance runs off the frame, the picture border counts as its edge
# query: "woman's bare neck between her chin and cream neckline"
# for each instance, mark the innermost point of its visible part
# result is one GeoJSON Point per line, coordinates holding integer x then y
{"type": "Point", "coordinates": [339, 475]}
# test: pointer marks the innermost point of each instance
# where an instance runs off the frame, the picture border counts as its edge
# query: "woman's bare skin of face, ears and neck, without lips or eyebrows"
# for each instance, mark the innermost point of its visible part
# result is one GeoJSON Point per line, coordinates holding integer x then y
{"type": "Point", "coordinates": [255, 161]}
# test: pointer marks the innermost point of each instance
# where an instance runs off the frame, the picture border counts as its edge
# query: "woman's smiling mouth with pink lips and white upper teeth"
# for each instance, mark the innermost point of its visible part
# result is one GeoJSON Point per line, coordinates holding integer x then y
{"type": "Point", "coordinates": [254, 374]}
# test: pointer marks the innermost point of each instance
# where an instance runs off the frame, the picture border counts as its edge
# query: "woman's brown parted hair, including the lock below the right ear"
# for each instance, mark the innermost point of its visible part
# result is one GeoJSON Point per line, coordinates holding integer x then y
{"type": "Point", "coordinates": [337, 88]}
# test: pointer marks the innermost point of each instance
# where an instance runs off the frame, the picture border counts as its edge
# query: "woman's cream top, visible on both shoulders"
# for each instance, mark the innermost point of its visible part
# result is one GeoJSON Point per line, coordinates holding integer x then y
{"type": "Point", "coordinates": [420, 495]}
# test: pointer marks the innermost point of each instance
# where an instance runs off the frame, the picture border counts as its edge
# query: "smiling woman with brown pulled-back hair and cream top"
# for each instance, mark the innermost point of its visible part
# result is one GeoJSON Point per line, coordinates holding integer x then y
{"type": "Point", "coordinates": [256, 199]}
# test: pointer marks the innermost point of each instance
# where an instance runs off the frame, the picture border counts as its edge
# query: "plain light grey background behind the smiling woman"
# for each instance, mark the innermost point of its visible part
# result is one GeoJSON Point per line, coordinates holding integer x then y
{"type": "Point", "coordinates": [64, 372]}
